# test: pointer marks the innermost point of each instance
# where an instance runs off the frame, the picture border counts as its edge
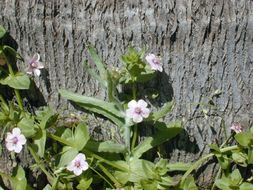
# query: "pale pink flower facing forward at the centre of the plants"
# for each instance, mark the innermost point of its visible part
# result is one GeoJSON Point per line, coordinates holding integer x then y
{"type": "Point", "coordinates": [137, 110]}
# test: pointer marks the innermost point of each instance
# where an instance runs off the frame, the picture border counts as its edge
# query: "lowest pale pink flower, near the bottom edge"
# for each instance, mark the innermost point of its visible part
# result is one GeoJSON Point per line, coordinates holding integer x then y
{"type": "Point", "coordinates": [78, 165]}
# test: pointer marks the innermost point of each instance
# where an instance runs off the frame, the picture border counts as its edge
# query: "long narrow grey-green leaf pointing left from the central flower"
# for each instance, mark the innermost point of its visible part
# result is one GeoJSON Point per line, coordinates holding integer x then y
{"type": "Point", "coordinates": [107, 109]}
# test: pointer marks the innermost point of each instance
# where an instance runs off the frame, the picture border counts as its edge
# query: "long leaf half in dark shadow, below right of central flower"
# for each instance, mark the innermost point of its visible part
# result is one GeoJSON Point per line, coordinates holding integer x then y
{"type": "Point", "coordinates": [163, 134]}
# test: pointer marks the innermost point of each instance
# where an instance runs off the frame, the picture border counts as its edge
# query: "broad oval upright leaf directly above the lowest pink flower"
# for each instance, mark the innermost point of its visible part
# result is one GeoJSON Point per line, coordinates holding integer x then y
{"type": "Point", "coordinates": [81, 136]}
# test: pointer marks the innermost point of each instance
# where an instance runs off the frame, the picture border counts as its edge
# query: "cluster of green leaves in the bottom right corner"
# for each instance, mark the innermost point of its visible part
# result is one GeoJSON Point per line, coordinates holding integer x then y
{"type": "Point", "coordinates": [232, 159]}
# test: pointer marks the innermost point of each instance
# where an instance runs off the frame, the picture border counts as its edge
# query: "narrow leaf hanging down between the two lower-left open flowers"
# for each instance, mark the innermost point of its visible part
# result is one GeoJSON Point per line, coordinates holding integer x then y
{"type": "Point", "coordinates": [40, 142]}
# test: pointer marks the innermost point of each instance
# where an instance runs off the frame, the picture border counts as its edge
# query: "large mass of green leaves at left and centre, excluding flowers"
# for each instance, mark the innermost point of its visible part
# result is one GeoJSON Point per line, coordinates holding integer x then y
{"type": "Point", "coordinates": [54, 146]}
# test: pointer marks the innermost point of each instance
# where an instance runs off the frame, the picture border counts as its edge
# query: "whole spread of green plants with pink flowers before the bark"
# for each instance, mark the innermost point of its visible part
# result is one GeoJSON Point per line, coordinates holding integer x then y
{"type": "Point", "coordinates": [69, 158]}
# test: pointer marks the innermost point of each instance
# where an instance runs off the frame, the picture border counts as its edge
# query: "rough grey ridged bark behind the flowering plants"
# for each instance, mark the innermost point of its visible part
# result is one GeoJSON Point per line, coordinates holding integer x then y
{"type": "Point", "coordinates": [205, 44]}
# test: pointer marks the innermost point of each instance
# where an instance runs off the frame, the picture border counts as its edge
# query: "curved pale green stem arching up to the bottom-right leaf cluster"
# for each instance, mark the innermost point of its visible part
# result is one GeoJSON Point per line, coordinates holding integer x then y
{"type": "Point", "coordinates": [200, 161]}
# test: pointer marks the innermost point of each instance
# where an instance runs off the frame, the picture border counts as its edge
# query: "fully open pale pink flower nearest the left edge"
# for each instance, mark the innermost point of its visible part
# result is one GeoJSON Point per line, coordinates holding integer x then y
{"type": "Point", "coordinates": [15, 140]}
